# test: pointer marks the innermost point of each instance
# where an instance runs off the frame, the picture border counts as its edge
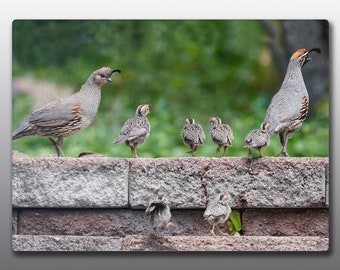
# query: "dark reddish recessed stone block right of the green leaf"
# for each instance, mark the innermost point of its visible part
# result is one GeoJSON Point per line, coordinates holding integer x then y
{"type": "Point", "coordinates": [286, 222]}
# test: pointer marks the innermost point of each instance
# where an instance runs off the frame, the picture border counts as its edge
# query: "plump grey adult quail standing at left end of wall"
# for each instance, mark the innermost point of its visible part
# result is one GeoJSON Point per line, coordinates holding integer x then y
{"type": "Point", "coordinates": [67, 116]}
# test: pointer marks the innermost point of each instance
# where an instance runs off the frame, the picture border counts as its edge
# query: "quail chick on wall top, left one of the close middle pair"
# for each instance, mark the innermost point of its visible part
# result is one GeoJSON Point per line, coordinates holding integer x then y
{"type": "Point", "coordinates": [192, 135]}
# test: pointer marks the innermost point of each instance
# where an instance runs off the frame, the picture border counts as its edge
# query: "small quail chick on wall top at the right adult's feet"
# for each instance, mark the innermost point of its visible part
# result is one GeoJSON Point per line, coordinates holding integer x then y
{"type": "Point", "coordinates": [258, 139]}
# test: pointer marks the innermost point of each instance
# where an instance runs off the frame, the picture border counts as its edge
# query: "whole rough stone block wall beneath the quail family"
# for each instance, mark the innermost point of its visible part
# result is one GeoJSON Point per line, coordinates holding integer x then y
{"type": "Point", "coordinates": [83, 201]}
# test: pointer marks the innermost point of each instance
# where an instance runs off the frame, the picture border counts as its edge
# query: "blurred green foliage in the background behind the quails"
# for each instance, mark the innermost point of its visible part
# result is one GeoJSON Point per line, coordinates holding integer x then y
{"type": "Point", "coordinates": [183, 68]}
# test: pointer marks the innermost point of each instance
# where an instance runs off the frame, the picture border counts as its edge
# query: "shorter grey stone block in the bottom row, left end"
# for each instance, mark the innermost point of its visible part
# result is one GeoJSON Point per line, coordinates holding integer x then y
{"type": "Point", "coordinates": [65, 243]}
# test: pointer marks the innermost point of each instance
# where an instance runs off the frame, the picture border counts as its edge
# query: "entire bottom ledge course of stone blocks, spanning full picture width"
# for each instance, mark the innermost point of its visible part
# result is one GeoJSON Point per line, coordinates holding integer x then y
{"type": "Point", "coordinates": [24, 243]}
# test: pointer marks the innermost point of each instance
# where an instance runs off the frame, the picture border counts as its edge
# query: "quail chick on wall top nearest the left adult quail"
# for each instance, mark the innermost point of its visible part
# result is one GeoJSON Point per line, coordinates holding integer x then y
{"type": "Point", "coordinates": [136, 130]}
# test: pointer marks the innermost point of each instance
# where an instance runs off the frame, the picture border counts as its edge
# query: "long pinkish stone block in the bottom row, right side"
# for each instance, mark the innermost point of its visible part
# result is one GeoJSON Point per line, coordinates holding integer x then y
{"type": "Point", "coordinates": [217, 243]}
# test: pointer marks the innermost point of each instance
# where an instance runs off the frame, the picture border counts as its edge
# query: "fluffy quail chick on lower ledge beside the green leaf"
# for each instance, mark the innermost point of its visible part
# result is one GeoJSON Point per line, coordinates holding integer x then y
{"type": "Point", "coordinates": [217, 211]}
